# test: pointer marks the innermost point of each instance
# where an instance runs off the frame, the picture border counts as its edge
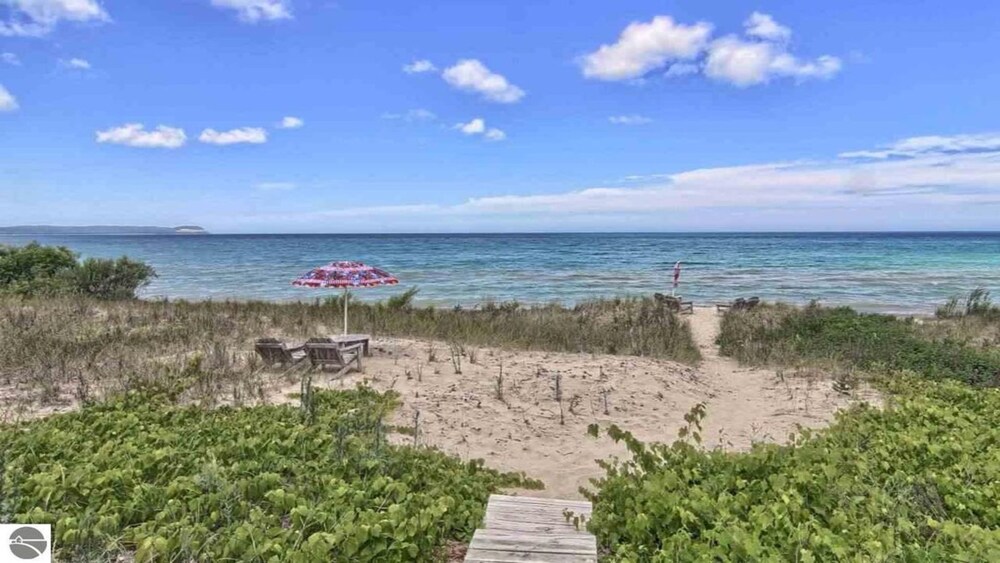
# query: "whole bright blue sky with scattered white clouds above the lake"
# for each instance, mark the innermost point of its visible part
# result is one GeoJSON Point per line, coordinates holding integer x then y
{"type": "Point", "coordinates": [350, 116]}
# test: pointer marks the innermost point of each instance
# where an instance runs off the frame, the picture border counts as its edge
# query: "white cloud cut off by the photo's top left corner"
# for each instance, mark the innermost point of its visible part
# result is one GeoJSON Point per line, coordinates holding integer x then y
{"type": "Point", "coordinates": [35, 18]}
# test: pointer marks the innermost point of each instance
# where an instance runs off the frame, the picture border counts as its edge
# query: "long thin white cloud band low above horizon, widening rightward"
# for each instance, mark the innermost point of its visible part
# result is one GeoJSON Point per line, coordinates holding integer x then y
{"type": "Point", "coordinates": [934, 177]}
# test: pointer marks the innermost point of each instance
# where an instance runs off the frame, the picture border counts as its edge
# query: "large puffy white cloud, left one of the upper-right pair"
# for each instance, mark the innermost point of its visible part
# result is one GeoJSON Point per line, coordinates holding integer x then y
{"type": "Point", "coordinates": [644, 47]}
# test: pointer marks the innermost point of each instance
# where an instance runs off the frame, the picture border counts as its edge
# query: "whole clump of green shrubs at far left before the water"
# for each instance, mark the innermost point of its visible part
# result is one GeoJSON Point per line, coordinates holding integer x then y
{"type": "Point", "coordinates": [36, 270]}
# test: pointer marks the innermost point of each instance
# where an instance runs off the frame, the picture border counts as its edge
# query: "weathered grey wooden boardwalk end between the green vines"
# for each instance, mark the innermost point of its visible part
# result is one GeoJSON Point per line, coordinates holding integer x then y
{"type": "Point", "coordinates": [528, 529]}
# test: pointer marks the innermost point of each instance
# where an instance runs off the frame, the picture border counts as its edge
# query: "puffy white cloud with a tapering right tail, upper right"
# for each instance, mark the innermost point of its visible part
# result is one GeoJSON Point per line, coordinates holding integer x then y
{"type": "Point", "coordinates": [748, 63]}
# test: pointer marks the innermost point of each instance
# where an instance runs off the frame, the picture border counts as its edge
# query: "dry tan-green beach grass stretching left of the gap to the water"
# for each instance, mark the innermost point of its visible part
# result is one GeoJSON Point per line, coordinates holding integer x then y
{"type": "Point", "coordinates": [85, 347]}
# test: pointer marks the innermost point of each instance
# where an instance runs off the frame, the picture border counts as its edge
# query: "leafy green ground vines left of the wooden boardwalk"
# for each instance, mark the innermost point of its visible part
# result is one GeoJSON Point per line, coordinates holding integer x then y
{"type": "Point", "coordinates": [175, 483]}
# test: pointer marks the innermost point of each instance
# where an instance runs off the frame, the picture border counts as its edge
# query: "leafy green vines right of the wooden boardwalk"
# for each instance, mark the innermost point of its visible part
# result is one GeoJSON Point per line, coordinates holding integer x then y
{"type": "Point", "coordinates": [917, 481]}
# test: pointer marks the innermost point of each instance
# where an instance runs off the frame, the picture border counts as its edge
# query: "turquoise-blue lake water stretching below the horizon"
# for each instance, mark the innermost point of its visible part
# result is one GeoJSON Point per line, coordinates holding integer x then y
{"type": "Point", "coordinates": [889, 272]}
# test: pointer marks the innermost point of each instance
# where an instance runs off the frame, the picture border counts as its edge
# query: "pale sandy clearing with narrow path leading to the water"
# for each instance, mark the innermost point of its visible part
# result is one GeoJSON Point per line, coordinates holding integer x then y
{"type": "Point", "coordinates": [516, 423]}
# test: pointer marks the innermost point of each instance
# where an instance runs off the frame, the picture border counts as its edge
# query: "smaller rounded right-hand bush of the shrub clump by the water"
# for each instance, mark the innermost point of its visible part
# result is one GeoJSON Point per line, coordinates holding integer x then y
{"type": "Point", "coordinates": [110, 279]}
